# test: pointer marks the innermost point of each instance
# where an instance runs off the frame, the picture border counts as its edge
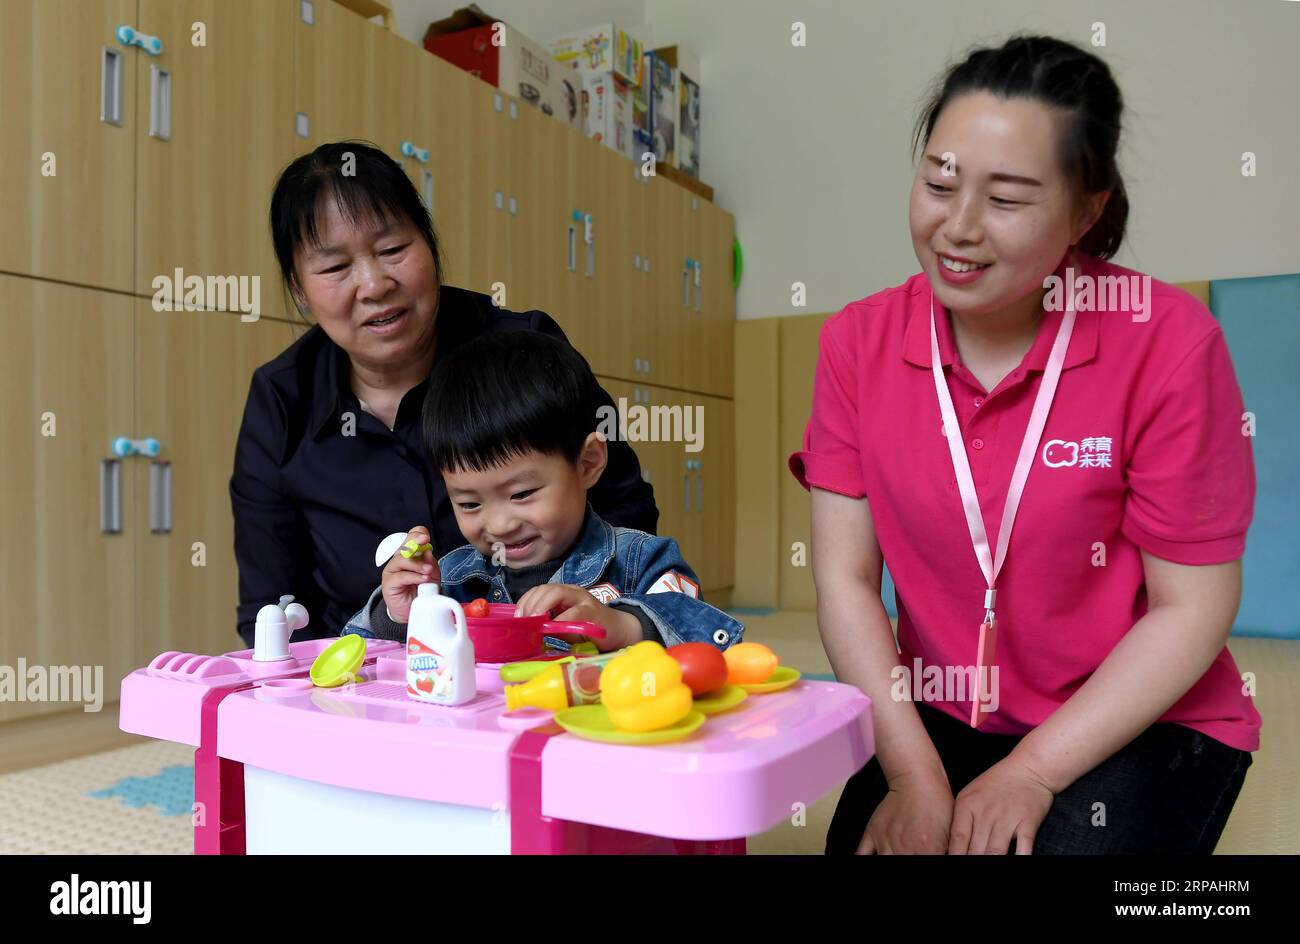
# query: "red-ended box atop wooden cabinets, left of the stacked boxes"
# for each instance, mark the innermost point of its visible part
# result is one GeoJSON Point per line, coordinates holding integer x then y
{"type": "Point", "coordinates": [505, 58]}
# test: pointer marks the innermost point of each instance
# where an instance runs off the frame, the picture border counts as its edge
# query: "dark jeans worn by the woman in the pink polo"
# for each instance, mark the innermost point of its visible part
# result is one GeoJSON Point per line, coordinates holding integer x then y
{"type": "Point", "coordinates": [1168, 793]}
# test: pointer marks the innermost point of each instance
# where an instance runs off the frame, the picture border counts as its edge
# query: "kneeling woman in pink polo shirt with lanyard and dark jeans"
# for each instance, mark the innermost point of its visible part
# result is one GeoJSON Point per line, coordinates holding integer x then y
{"type": "Point", "coordinates": [1048, 452]}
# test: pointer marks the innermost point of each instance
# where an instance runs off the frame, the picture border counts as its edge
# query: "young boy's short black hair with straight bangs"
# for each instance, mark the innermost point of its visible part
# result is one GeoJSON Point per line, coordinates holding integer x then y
{"type": "Point", "coordinates": [506, 395]}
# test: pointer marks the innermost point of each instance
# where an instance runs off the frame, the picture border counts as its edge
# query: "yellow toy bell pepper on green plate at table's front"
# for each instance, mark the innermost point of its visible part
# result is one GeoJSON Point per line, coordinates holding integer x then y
{"type": "Point", "coordinates": [643, 690]}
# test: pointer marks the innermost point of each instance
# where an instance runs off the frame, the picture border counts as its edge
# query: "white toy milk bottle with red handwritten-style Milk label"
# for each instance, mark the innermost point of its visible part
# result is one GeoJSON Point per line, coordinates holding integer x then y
{"type": "Point", "coordinates": [440, 656]}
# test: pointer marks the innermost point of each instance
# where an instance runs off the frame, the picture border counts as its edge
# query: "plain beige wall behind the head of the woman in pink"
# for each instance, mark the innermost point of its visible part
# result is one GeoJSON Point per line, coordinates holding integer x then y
{"type": "Point", "coordinates": [811, 146]}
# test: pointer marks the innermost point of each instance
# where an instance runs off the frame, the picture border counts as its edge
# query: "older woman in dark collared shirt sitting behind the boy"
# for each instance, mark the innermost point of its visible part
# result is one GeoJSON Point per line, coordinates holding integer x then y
{"type": "Point", "coordinates": [330, 457]}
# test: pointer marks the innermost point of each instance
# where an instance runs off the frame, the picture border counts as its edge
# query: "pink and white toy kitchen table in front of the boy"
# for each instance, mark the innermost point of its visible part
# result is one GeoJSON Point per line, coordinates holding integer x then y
{"type": "Point", "coordinates": [285, 768]}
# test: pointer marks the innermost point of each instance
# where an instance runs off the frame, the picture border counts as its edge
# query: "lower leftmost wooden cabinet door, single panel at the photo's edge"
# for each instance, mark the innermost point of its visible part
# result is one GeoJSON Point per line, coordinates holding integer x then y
{"type": "Point", "coordinates": [68, 587]}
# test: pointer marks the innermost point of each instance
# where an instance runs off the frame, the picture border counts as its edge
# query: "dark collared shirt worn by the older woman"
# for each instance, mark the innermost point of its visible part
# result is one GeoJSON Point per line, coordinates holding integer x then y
{"type": "Point", "coordinates": [311, 503]}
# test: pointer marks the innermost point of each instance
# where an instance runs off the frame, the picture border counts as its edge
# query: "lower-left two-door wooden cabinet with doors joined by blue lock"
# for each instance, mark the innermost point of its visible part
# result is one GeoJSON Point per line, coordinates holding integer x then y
{"type": "Point", "coordinates": [85, 367]}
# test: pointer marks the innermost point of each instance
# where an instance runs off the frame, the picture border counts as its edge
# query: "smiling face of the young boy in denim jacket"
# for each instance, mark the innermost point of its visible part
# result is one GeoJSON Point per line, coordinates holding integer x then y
{"type": "Point", "coordinates": [534, 504]}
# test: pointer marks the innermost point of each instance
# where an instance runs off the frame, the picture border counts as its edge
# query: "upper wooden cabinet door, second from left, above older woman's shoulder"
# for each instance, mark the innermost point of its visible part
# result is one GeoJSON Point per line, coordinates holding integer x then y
{"type": "Point", "coordinates": [214, 129]}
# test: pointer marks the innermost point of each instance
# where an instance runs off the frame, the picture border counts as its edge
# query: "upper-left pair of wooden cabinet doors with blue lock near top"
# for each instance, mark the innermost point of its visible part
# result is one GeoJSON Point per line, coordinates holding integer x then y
{"type": "Point", "coordinates": [127, 166]}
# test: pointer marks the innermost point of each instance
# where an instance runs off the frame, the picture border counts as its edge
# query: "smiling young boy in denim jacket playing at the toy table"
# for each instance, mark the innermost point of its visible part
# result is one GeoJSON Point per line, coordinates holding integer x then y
{"type": "Point", "coordinates": [510, 422]}
